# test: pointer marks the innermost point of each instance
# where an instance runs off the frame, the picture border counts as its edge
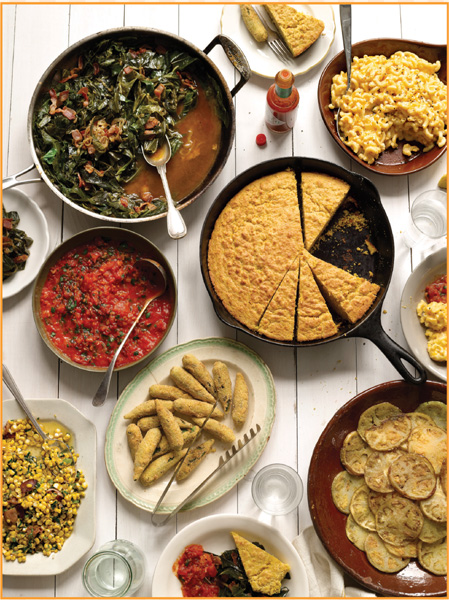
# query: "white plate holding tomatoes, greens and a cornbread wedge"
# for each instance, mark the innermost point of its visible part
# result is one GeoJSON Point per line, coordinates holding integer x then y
{"type": "Point", "coordinates": [213, 533]}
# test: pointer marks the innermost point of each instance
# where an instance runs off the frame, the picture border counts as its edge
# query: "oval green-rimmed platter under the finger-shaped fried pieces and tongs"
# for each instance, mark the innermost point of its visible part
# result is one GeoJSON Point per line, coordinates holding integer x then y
{"type": "Point", "coordinates": [260, 385]}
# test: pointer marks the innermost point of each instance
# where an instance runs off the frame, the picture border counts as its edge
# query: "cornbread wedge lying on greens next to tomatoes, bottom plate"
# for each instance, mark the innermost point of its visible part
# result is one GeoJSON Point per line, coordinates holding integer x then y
{"type": "Point", "coordinates": [265, 572]}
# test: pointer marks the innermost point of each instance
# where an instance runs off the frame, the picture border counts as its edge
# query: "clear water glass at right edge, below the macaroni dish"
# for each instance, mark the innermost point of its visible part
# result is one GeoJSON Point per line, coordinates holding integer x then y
{"type": "Point", "coordinates": [428, 218]}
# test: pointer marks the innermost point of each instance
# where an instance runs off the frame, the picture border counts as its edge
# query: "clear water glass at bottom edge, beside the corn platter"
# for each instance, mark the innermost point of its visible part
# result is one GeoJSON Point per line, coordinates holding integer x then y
{"type": "Point", "coordinates": [117, 569]}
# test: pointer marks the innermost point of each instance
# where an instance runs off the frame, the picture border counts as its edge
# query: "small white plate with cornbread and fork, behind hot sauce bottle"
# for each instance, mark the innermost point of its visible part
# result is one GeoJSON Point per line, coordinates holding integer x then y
{"type": "Point", "coordinates": [262, 60]}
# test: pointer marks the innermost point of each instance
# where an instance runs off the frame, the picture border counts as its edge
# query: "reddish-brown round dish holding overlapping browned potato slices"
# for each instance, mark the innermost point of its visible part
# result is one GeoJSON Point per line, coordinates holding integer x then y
{"type": "Point", "coordinates": [329, 522]}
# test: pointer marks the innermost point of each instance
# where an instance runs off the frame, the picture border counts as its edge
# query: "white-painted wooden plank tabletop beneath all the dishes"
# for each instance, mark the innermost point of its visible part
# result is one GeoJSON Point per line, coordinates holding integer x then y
{"type": "Point", "coordinates": [311, 384]}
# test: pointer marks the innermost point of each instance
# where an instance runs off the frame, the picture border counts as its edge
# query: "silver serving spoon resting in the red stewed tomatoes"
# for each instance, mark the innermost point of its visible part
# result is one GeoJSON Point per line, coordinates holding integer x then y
{"type": "Point", "coordinates": [160, 279]}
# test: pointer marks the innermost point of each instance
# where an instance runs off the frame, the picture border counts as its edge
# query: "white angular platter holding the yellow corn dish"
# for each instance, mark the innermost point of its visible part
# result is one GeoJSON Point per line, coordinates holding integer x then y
{"type": "Point", "coordinates": [85, 444]}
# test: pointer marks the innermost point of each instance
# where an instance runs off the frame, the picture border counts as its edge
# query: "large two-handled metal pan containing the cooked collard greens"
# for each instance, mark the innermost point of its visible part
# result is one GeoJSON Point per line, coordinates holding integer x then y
{"type": "Point", "coordinates": [154, 37]}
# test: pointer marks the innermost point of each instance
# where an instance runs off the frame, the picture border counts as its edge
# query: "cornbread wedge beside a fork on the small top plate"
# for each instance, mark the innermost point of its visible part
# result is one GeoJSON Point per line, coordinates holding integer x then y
{"type": "Point", "coordinates": [298, 30]}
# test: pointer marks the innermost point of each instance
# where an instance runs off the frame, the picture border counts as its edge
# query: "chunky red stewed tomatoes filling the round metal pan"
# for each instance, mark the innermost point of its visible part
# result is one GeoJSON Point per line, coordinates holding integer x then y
{"type": "Point", "coordinates": [90, 299]}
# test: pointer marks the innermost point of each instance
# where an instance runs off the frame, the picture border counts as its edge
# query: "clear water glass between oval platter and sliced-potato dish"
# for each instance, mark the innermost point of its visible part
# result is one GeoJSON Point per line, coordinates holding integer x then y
{"type": "Point", "coordinates": [277, 489]}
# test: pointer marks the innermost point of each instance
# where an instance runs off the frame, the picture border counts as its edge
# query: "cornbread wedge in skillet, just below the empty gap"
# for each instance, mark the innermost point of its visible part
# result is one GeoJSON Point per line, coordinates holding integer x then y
{"type": "Point", "coordinates": [349, 295]}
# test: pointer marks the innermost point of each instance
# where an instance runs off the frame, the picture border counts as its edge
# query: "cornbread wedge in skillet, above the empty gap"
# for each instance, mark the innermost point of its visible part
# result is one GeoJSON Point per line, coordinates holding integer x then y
{"type": "Point", "coordinates": [321, 196]}
